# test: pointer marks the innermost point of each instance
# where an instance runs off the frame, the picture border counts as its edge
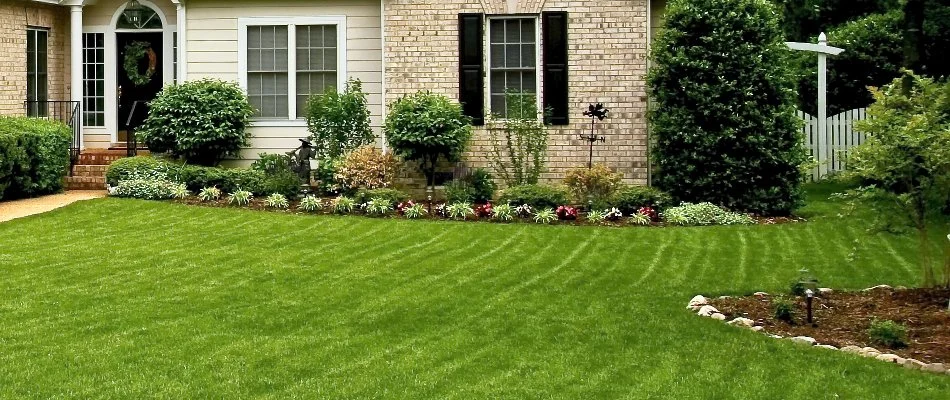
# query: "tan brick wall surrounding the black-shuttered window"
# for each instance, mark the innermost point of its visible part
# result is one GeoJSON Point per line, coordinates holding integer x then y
{"type": "Point", "coordinates": [607, 64]}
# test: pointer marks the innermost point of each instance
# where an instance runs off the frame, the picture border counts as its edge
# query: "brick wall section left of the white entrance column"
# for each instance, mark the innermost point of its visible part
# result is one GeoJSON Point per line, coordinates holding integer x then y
{"type": "Point", "coordinates": [15, 17]}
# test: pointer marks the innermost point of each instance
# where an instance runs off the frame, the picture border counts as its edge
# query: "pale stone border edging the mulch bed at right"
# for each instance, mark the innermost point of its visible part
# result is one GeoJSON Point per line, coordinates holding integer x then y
{"type": "Point", "coordinates": [700, 305]}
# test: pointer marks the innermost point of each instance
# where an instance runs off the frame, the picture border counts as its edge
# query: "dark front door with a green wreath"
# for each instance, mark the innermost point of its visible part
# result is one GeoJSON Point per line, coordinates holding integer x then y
{"type": "Point", "coordinates": [139, 73]}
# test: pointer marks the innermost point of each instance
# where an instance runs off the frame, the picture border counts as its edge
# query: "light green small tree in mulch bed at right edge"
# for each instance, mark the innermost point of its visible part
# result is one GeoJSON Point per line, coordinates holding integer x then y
{"type": "Point", "coordinates": [905, 161]}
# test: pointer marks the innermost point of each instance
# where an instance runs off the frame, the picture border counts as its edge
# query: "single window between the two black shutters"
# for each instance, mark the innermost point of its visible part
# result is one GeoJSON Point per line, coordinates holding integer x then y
{"type": "Point", "coordinates": [512, 59]}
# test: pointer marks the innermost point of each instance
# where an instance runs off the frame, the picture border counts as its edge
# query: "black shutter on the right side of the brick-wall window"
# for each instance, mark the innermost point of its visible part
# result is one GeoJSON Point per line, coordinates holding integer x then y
{"type": "Point", "coordinates": [554, 66]}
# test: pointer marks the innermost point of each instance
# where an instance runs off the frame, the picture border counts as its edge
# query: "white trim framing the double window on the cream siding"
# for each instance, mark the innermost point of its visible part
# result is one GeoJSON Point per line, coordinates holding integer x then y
{"type": "Point", "coordinates": [291, 24]}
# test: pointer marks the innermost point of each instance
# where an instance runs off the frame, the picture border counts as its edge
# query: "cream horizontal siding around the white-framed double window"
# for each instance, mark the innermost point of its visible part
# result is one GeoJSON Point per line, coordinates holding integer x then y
{"type": "Point", "coordinates": [213, 52]}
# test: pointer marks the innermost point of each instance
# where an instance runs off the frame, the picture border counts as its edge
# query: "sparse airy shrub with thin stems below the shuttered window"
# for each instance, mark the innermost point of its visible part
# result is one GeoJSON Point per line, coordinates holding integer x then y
{"type": "Point", "coordinates": [519, 148]}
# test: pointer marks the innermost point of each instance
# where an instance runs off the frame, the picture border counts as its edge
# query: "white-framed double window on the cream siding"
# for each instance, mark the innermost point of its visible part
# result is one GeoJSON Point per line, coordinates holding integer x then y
{"type": "Point", "coordinates": [285, 61]}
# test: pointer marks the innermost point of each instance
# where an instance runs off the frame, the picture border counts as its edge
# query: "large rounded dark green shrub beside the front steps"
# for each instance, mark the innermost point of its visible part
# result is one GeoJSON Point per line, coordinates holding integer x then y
{"type": "Point", "coordinates": [201, 121]}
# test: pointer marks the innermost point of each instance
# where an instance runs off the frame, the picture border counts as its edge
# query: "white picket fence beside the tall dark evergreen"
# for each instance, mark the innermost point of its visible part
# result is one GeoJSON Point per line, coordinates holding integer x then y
{"type": "Point", "coordinates": [830, 151]}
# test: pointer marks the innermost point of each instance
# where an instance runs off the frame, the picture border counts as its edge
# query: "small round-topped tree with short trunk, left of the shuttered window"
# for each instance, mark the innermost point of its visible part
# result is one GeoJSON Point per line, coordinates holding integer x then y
{"type": "Point", "coordinates": [425, 127]}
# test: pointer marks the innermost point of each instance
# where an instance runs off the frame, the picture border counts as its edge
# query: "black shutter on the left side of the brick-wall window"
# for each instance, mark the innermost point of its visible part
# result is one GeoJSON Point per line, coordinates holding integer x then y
{"type": "Point", "coordinates": [471, 67]}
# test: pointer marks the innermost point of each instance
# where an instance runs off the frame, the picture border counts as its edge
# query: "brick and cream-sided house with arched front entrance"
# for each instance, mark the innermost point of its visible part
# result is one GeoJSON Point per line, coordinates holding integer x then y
{"type": "Point", "coordinates": [63, 55]}
